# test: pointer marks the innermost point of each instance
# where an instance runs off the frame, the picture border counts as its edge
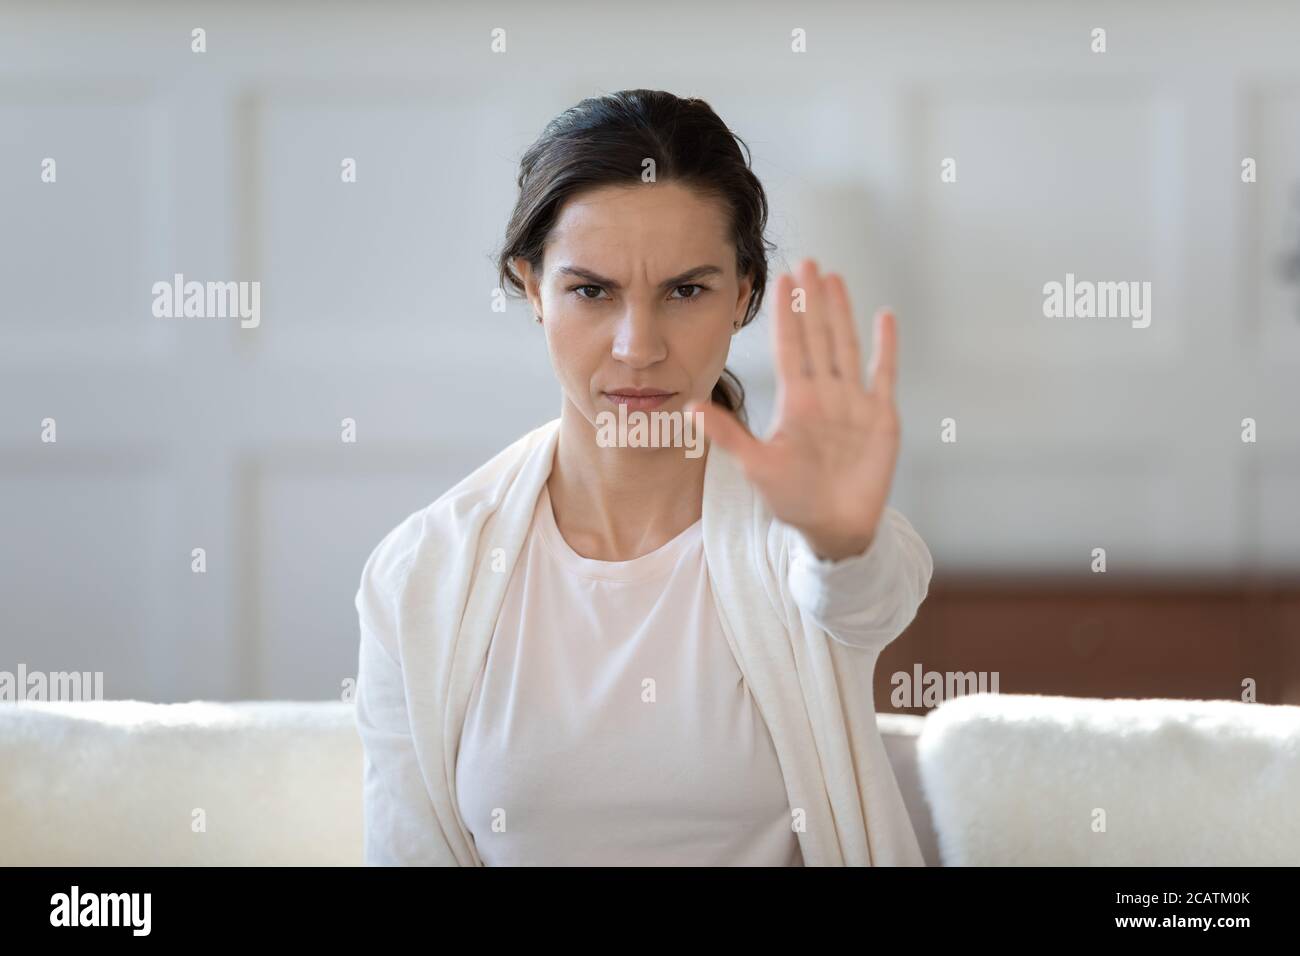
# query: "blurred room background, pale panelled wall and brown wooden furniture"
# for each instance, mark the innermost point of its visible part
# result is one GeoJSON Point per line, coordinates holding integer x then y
{"type": "Point", "coordinates": [376, 306]}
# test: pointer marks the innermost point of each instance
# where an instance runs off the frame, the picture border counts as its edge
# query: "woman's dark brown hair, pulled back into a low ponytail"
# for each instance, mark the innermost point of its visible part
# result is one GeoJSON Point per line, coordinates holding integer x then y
{"type": "Point", "coordinates": [604, 141]}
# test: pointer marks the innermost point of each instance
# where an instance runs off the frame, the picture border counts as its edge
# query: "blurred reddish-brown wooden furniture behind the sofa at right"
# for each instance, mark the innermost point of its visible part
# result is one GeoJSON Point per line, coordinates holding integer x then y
{"type": "Point", "coordinates": [1097, 638]}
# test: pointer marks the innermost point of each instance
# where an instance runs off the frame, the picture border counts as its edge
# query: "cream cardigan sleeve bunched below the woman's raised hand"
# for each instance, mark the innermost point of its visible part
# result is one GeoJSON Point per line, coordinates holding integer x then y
{"type": "Point", "coordinates": [869, 599]}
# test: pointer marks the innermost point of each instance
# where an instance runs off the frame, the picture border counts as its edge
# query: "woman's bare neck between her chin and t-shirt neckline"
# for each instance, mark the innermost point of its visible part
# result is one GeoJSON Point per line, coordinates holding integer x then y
{"type": "Point", "coordinates": [617, 504]}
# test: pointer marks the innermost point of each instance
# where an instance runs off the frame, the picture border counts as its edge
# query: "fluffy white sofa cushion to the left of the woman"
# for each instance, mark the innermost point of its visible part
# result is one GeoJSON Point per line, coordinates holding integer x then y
{"type": "Point", "coordinates": [129, 784]}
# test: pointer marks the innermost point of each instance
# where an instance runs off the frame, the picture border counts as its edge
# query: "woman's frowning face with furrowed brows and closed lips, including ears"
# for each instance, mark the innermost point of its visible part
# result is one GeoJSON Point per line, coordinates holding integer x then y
{"type": "Point", "coordinates": [638, 291]}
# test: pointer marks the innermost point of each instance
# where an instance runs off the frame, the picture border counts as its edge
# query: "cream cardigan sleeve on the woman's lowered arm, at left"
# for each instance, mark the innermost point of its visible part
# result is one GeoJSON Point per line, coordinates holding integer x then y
{"type": "Point", "coordinates": [401, 827]}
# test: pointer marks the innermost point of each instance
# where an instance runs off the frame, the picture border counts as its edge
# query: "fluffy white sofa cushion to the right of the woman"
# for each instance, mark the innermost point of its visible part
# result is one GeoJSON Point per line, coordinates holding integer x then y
{"type": "Point", "coordinates": [1032, 781]}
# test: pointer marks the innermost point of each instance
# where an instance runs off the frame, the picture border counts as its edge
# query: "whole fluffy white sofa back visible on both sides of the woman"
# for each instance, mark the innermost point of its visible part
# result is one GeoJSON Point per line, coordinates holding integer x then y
{"type": "Point", "coordinates": [990, 780]}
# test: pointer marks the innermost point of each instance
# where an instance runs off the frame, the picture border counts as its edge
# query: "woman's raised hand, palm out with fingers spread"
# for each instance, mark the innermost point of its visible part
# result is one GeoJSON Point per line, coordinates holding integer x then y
{"type": "Point", "coordinates": [829, 461]}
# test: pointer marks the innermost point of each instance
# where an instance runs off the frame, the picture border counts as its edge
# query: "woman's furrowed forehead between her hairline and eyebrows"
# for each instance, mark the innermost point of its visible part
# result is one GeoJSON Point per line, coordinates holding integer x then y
{"type": "Point", "coordinates": [657, 226]}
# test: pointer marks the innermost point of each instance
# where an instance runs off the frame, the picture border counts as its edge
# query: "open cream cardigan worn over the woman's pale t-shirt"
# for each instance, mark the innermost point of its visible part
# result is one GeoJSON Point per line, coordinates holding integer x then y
{"type": "Point", "coordinates": [428, 604]}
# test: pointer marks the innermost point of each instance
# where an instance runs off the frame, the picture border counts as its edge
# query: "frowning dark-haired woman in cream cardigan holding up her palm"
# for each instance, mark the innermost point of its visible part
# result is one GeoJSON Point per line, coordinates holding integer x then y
{"type": "Point", "coordinates": [601, 654]}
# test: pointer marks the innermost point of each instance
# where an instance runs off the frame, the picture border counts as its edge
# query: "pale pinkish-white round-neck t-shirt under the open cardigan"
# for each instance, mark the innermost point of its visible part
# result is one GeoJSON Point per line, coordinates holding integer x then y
{"type": "Point", "coordinates": [610, 724]}
